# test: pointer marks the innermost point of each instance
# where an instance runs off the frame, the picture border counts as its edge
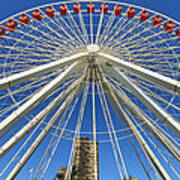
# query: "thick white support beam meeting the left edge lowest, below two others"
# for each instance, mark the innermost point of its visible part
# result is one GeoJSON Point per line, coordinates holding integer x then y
{"type": "Point", "coordinates": [37, 119]}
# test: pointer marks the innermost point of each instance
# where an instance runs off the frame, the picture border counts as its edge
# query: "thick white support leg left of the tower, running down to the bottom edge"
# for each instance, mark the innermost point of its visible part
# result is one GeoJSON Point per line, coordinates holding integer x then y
{"type": "Point", "coordinates": [39, 139]}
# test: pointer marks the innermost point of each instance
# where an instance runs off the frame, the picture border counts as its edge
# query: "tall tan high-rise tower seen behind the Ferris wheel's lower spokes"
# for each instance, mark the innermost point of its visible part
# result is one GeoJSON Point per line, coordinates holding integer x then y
{"type": "Point", "coordinates": [86, 160]}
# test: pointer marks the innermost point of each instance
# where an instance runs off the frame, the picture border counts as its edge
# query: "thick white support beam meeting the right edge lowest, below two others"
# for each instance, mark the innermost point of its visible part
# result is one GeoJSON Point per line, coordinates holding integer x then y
{"type": "Point", "coordinates": [126, 101]}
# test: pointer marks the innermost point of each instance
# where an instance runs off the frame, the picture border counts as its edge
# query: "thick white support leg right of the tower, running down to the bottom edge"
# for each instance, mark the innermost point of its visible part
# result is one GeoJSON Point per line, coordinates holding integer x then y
{"type": "Point", "coordinates": [151, 156]}
